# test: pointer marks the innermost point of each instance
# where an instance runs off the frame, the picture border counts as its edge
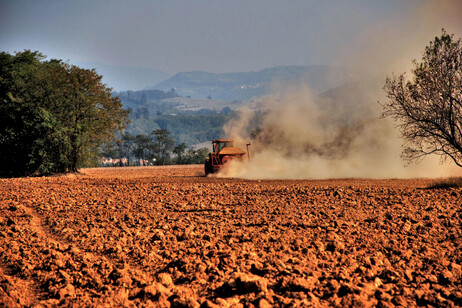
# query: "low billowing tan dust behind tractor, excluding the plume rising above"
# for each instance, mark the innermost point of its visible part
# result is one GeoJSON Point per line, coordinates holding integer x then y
{"type": "Point", "coordinates": [300, 137]}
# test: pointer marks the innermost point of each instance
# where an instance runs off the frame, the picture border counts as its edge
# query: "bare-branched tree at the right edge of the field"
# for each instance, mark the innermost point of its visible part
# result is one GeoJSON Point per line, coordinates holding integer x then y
{"type": "Point", "coordinates": [428, 108]}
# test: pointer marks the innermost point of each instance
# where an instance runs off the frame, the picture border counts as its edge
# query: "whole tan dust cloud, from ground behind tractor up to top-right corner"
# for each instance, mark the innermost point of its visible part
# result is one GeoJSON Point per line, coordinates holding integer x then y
{"type": "Point", "coordinates": [339, 134]}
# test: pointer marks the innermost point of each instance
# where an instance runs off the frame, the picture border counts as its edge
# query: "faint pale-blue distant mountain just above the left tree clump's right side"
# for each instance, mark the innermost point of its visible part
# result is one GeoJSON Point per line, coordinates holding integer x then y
{"type": "Point", "coordinates": [122, 78]}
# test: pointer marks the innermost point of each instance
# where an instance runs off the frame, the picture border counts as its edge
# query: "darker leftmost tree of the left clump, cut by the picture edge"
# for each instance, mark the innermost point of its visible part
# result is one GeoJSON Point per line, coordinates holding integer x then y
{"type": "Point", "coordinates": [29, 140]}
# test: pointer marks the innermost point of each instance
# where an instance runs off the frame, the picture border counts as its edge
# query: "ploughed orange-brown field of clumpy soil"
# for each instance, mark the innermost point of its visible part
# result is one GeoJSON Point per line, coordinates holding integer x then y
{"type": "Point", "coordinates": [170, 237]}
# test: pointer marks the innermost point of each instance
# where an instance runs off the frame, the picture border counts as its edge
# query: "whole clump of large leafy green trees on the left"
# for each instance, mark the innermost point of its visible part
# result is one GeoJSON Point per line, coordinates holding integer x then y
{"type": "Point", "coordinates": [53, 116]}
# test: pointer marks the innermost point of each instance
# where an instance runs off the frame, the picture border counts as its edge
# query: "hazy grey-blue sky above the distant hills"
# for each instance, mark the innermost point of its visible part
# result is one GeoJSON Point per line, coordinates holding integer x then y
{"type": "Point", "coordinates": [214, 35]}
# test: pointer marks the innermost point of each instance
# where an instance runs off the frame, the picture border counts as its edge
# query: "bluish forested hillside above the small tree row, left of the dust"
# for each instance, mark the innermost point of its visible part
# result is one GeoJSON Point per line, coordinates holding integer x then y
{"type": "Point", "coordinates": [190, 121]}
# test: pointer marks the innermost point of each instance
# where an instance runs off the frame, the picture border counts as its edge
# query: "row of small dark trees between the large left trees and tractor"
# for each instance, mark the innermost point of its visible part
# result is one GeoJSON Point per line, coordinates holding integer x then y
{"type": "Point", "coordinates": [156, 148]}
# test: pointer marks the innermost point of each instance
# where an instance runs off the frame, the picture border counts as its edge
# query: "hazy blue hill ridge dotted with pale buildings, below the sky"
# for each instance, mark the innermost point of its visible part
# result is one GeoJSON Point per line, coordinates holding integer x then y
{"type": "Point", "coordinates": [245, 85]}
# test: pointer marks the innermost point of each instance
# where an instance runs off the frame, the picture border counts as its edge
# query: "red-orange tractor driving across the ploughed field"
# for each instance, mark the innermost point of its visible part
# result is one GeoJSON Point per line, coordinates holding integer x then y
{"type": "Point", "coordinates": [223, 152]}
